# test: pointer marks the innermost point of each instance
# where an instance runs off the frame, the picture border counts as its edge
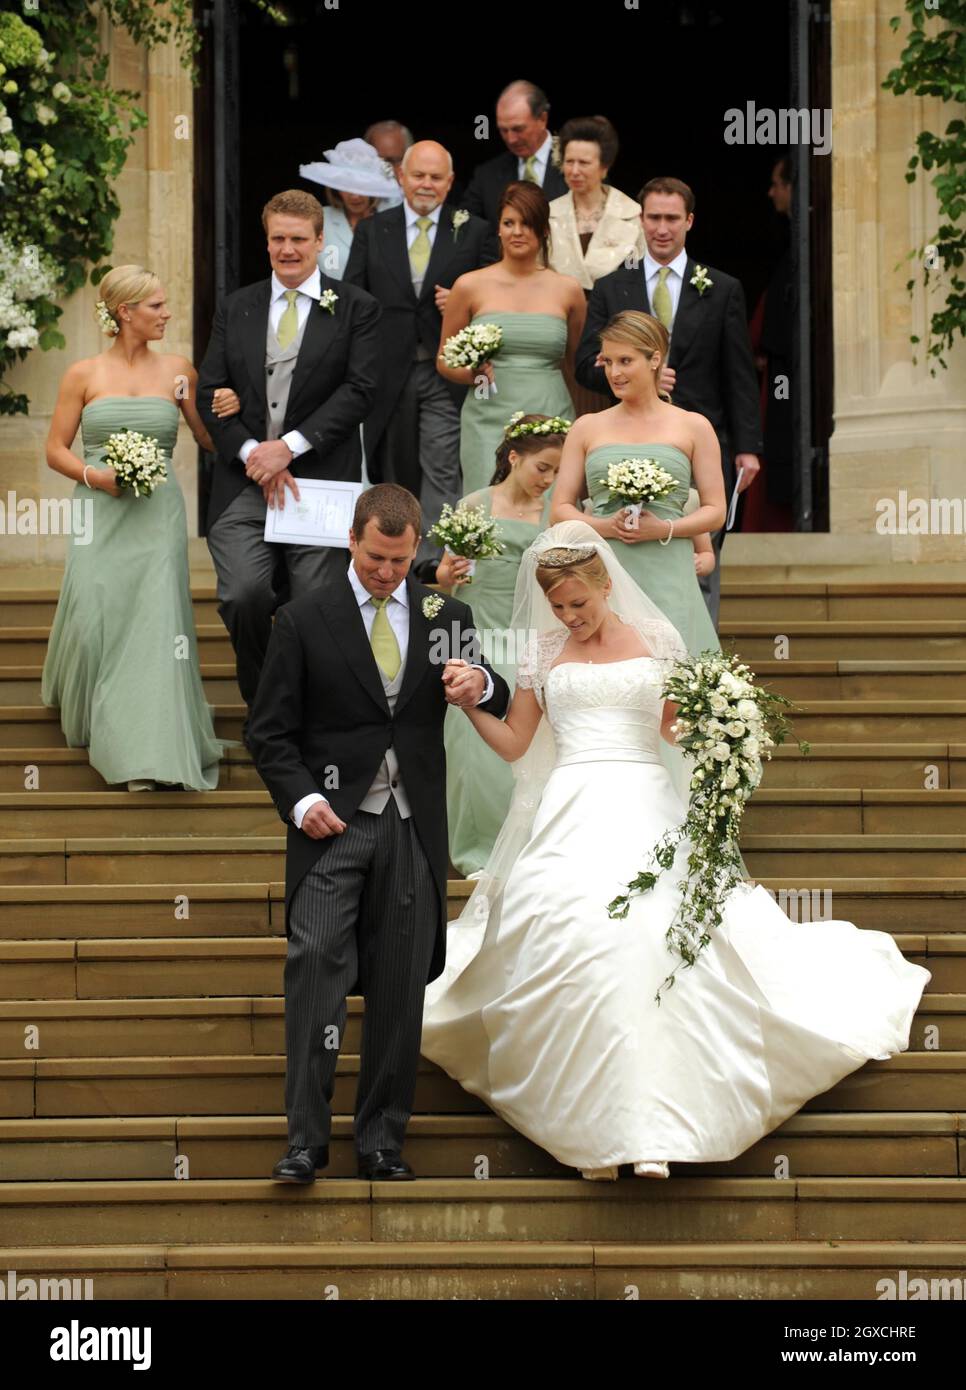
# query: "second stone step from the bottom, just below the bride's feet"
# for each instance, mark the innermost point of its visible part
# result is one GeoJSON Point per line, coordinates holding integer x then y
{"type": "Point", "coordinates": [625, 1213]}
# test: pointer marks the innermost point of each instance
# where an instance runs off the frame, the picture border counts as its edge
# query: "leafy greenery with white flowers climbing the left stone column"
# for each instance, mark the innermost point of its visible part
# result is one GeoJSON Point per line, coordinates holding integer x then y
{"type": "Point", "coordinates": [65, 138]}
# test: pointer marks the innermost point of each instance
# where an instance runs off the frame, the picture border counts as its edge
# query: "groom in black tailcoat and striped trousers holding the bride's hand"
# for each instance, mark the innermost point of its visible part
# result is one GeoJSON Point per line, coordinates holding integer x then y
{"type": "Point", "coordinates": [352, 700]}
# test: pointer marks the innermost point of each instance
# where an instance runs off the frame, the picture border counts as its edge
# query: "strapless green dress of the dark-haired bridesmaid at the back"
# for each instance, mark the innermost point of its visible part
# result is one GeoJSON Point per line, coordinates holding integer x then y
{"type": "Point", "coordinates": [529, 379]}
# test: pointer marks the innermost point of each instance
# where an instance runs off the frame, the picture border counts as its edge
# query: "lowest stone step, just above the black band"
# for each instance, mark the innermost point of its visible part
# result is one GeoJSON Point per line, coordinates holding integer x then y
{"type": "Point", "coordinates": [505, 1271]}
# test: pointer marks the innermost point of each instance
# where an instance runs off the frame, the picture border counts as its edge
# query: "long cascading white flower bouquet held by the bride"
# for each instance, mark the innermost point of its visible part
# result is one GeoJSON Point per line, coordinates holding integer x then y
{"type": "Point", "coordinates": [726, 725]}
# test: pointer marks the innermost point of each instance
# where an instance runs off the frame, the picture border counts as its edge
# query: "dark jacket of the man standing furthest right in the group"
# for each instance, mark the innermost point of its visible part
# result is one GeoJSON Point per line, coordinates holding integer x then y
{"type": "Point", "coordinates": [711, 351]}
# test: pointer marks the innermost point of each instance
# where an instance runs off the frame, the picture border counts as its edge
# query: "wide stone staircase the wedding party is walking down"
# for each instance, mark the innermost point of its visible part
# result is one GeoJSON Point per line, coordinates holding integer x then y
{"type": "Point", "coordinates": [142, 1024]}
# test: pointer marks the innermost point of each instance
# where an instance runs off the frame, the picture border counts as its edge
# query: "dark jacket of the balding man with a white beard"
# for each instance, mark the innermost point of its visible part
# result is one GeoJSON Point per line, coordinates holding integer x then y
{"type": "Point", "coordinates": [379, 263]}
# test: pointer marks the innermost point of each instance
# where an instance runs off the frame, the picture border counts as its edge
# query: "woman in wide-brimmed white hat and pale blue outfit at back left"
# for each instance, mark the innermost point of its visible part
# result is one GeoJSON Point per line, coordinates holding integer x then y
{"type": "Point", "coordinates": [358, 183]}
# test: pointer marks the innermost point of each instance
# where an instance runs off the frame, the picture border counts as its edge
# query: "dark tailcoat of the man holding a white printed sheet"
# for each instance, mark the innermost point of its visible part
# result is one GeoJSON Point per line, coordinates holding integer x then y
{"type": "Point", "coordinates": [333, 387]}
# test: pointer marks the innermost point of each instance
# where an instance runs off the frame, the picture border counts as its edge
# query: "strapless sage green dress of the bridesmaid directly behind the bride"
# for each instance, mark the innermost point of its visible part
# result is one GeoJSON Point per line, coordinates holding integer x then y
{"type": "Point", "coordinates": [666, 573]}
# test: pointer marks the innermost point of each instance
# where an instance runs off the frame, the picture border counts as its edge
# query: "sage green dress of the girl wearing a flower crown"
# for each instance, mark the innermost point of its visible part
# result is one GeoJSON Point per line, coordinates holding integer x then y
{"type": "Point", "coordinates": [479, 782]}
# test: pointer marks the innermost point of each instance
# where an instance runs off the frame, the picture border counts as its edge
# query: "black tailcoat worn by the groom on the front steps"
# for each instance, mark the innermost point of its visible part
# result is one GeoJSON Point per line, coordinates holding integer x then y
{"type": "Point", "coordinates": [320, 704]}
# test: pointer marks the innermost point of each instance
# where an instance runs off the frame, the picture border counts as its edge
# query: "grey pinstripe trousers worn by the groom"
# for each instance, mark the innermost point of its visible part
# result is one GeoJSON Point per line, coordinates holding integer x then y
{"type": "Point", "coordinates": [368, 910]}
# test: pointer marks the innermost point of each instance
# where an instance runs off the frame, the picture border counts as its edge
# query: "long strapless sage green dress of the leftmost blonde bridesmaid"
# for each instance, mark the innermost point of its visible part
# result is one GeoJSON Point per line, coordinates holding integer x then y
{"type": "Point", "coordinates": [123, 664]}
